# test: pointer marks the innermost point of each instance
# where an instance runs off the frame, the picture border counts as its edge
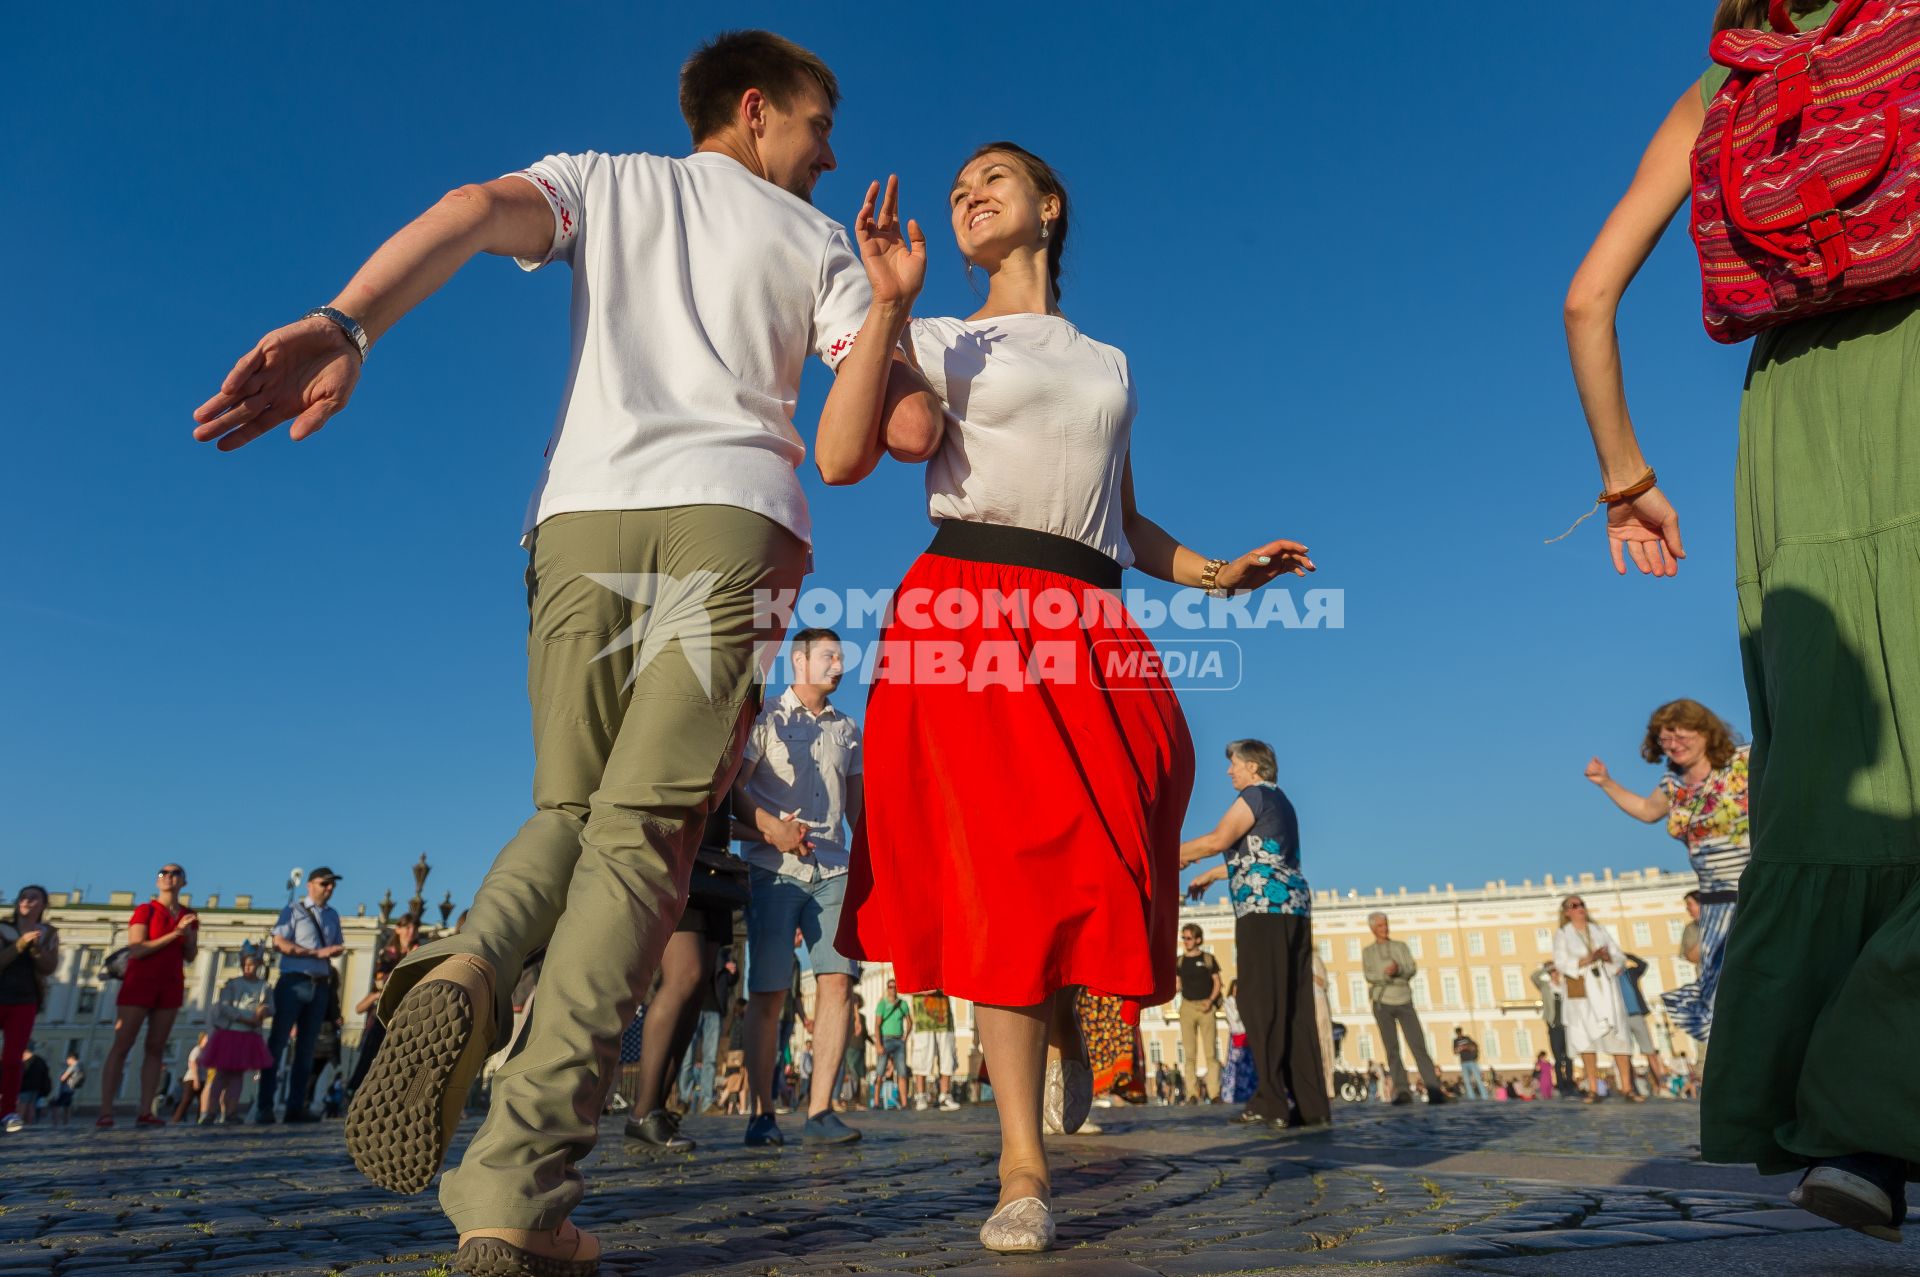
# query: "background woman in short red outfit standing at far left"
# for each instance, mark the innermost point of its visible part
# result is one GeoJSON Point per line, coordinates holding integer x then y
{"type": "Point", "coordinates": [162, 938]}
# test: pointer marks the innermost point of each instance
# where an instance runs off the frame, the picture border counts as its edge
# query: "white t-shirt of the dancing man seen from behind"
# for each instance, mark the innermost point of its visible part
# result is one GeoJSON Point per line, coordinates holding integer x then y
{"type": "Point", "coordinates": [700, 291]}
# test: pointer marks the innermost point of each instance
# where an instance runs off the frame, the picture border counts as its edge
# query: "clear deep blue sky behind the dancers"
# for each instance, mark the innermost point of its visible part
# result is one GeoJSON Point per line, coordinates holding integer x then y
{"type": "Point", "coordinates": [1332, 241]}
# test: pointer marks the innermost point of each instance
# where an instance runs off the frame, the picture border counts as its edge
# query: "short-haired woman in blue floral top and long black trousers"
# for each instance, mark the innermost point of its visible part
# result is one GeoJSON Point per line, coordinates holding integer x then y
{"type": "Point", "coordinates": [1274, 938]}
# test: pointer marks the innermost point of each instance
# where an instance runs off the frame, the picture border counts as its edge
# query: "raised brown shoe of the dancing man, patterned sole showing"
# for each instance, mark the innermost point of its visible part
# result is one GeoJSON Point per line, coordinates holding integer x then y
{"type": "Point", "coordinates": [410, 1105]}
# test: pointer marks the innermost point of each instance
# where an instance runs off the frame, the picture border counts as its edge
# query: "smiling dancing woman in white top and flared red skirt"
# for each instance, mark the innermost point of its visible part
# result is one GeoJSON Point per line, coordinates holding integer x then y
{"type": "Point", "coordinates": [1030, 765]}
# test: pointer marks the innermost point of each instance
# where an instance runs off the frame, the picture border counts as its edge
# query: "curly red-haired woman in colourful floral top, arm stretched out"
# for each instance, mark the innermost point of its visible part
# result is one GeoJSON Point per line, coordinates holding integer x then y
{"type": "Point", "coordinates": [1704, 802]}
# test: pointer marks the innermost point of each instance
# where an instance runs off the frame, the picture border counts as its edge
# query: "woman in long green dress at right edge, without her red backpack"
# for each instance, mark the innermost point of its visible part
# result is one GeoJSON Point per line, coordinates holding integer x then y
{"type": "Point", "coordinates": [1817, 1017]}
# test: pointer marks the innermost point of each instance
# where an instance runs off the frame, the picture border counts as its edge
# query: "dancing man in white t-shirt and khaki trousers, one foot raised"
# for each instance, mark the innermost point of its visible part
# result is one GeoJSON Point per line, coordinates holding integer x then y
{"type": "Point", "coordinates": [667, 504]}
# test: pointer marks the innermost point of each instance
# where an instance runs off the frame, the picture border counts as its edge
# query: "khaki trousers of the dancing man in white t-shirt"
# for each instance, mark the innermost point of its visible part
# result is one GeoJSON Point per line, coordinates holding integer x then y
{"type": "Point", "coordinates": [642, 656]}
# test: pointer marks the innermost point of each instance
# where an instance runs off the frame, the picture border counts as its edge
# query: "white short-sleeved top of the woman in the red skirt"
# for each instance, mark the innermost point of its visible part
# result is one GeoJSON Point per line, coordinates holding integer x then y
{"type": "Point", "coordinates": [1040, 425]}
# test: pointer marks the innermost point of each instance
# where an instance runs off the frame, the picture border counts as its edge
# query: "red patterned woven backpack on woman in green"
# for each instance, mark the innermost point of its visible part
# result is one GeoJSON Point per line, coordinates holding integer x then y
{"type": "Point", "coordinates": [1808, 170]}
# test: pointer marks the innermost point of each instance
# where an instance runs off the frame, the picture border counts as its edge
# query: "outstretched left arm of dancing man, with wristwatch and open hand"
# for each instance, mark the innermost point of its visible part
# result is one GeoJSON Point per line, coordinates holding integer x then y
{"type": "Point", "coordinates": [308, 370]}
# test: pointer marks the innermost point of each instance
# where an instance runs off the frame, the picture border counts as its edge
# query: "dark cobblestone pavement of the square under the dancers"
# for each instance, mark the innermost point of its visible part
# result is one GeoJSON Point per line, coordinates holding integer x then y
{"type": "Point", "coordinates": [1164, 1192]}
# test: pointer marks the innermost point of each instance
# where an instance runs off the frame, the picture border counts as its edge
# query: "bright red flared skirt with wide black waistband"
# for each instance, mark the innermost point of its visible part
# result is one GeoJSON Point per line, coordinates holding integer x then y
{"type": "Point", "coordinates": [1028, 775]}
